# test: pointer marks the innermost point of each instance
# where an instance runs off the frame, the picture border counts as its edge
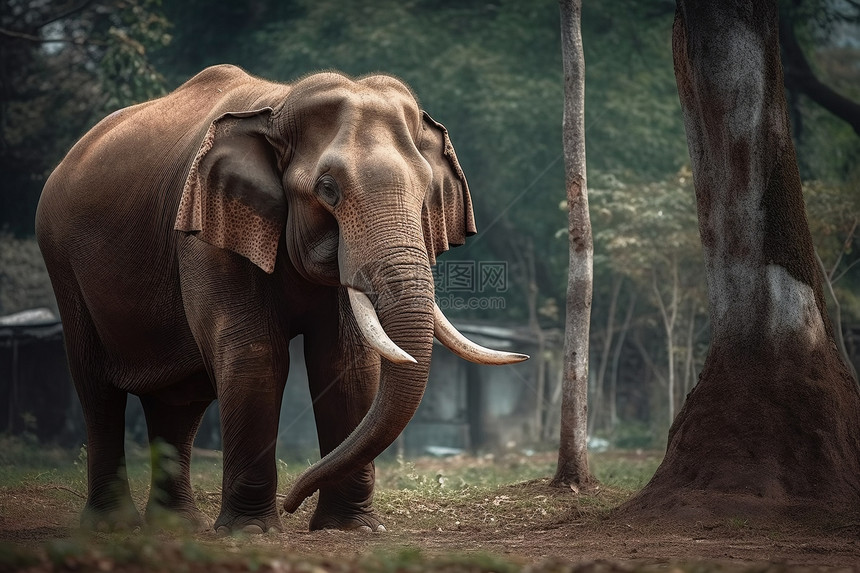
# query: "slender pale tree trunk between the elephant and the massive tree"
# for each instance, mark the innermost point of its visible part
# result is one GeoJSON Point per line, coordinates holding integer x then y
{"type": "Point", "coordinates": [572, 467]}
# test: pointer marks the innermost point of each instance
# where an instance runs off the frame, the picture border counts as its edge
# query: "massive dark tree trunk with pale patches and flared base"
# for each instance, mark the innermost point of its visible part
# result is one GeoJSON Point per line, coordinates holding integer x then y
{"type": "Point", "coordinates": [774, 422]}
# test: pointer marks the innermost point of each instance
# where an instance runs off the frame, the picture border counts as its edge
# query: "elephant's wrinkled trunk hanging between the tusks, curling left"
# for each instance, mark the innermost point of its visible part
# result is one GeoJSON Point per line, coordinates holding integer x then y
{"type": "Point", "coordinates": [404, 304]}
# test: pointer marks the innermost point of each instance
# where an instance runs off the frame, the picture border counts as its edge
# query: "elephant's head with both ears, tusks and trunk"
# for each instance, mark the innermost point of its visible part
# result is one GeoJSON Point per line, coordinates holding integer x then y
{"type": "Point", "coordinates": [366, 190]}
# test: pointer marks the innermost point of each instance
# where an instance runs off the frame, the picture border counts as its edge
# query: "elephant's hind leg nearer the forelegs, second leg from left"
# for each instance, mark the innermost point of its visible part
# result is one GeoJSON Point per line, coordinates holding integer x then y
{"type": "Point", "coordinates": [171, 434]}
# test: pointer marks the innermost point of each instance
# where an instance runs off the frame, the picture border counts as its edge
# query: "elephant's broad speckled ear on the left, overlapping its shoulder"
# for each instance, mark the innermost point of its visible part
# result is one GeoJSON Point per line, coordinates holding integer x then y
{"type": "Point", "coordinates": [233, 197]}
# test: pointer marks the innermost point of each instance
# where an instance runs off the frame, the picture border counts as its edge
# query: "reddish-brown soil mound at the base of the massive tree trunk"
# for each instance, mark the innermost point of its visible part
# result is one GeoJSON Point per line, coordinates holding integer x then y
{"type": "Point", "coordinates": [773, 440]}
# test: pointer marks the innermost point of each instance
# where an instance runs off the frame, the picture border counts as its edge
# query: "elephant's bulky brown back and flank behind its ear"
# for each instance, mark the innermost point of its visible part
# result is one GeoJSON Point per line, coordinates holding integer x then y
{"type": "Point", "coordinates": [105, 220]}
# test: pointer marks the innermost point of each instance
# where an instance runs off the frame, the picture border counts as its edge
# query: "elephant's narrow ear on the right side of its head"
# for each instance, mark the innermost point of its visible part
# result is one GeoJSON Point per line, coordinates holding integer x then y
{"type": "Point", "coordinates": [447, 215]}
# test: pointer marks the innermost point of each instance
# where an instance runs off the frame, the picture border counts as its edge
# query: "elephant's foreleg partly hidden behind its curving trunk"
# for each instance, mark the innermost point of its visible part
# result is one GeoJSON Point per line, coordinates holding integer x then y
{"type": "Point", "coordinates": [344, 374]}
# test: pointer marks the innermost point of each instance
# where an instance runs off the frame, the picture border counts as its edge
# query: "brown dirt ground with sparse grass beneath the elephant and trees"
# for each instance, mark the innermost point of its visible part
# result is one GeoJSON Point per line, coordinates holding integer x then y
{"type": "Point", "coordinates": [528, 523]}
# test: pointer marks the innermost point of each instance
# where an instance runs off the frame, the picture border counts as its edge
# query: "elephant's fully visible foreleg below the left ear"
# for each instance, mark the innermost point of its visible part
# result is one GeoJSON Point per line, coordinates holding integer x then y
{"type": "Point", "coordinates": [232, 313]}
